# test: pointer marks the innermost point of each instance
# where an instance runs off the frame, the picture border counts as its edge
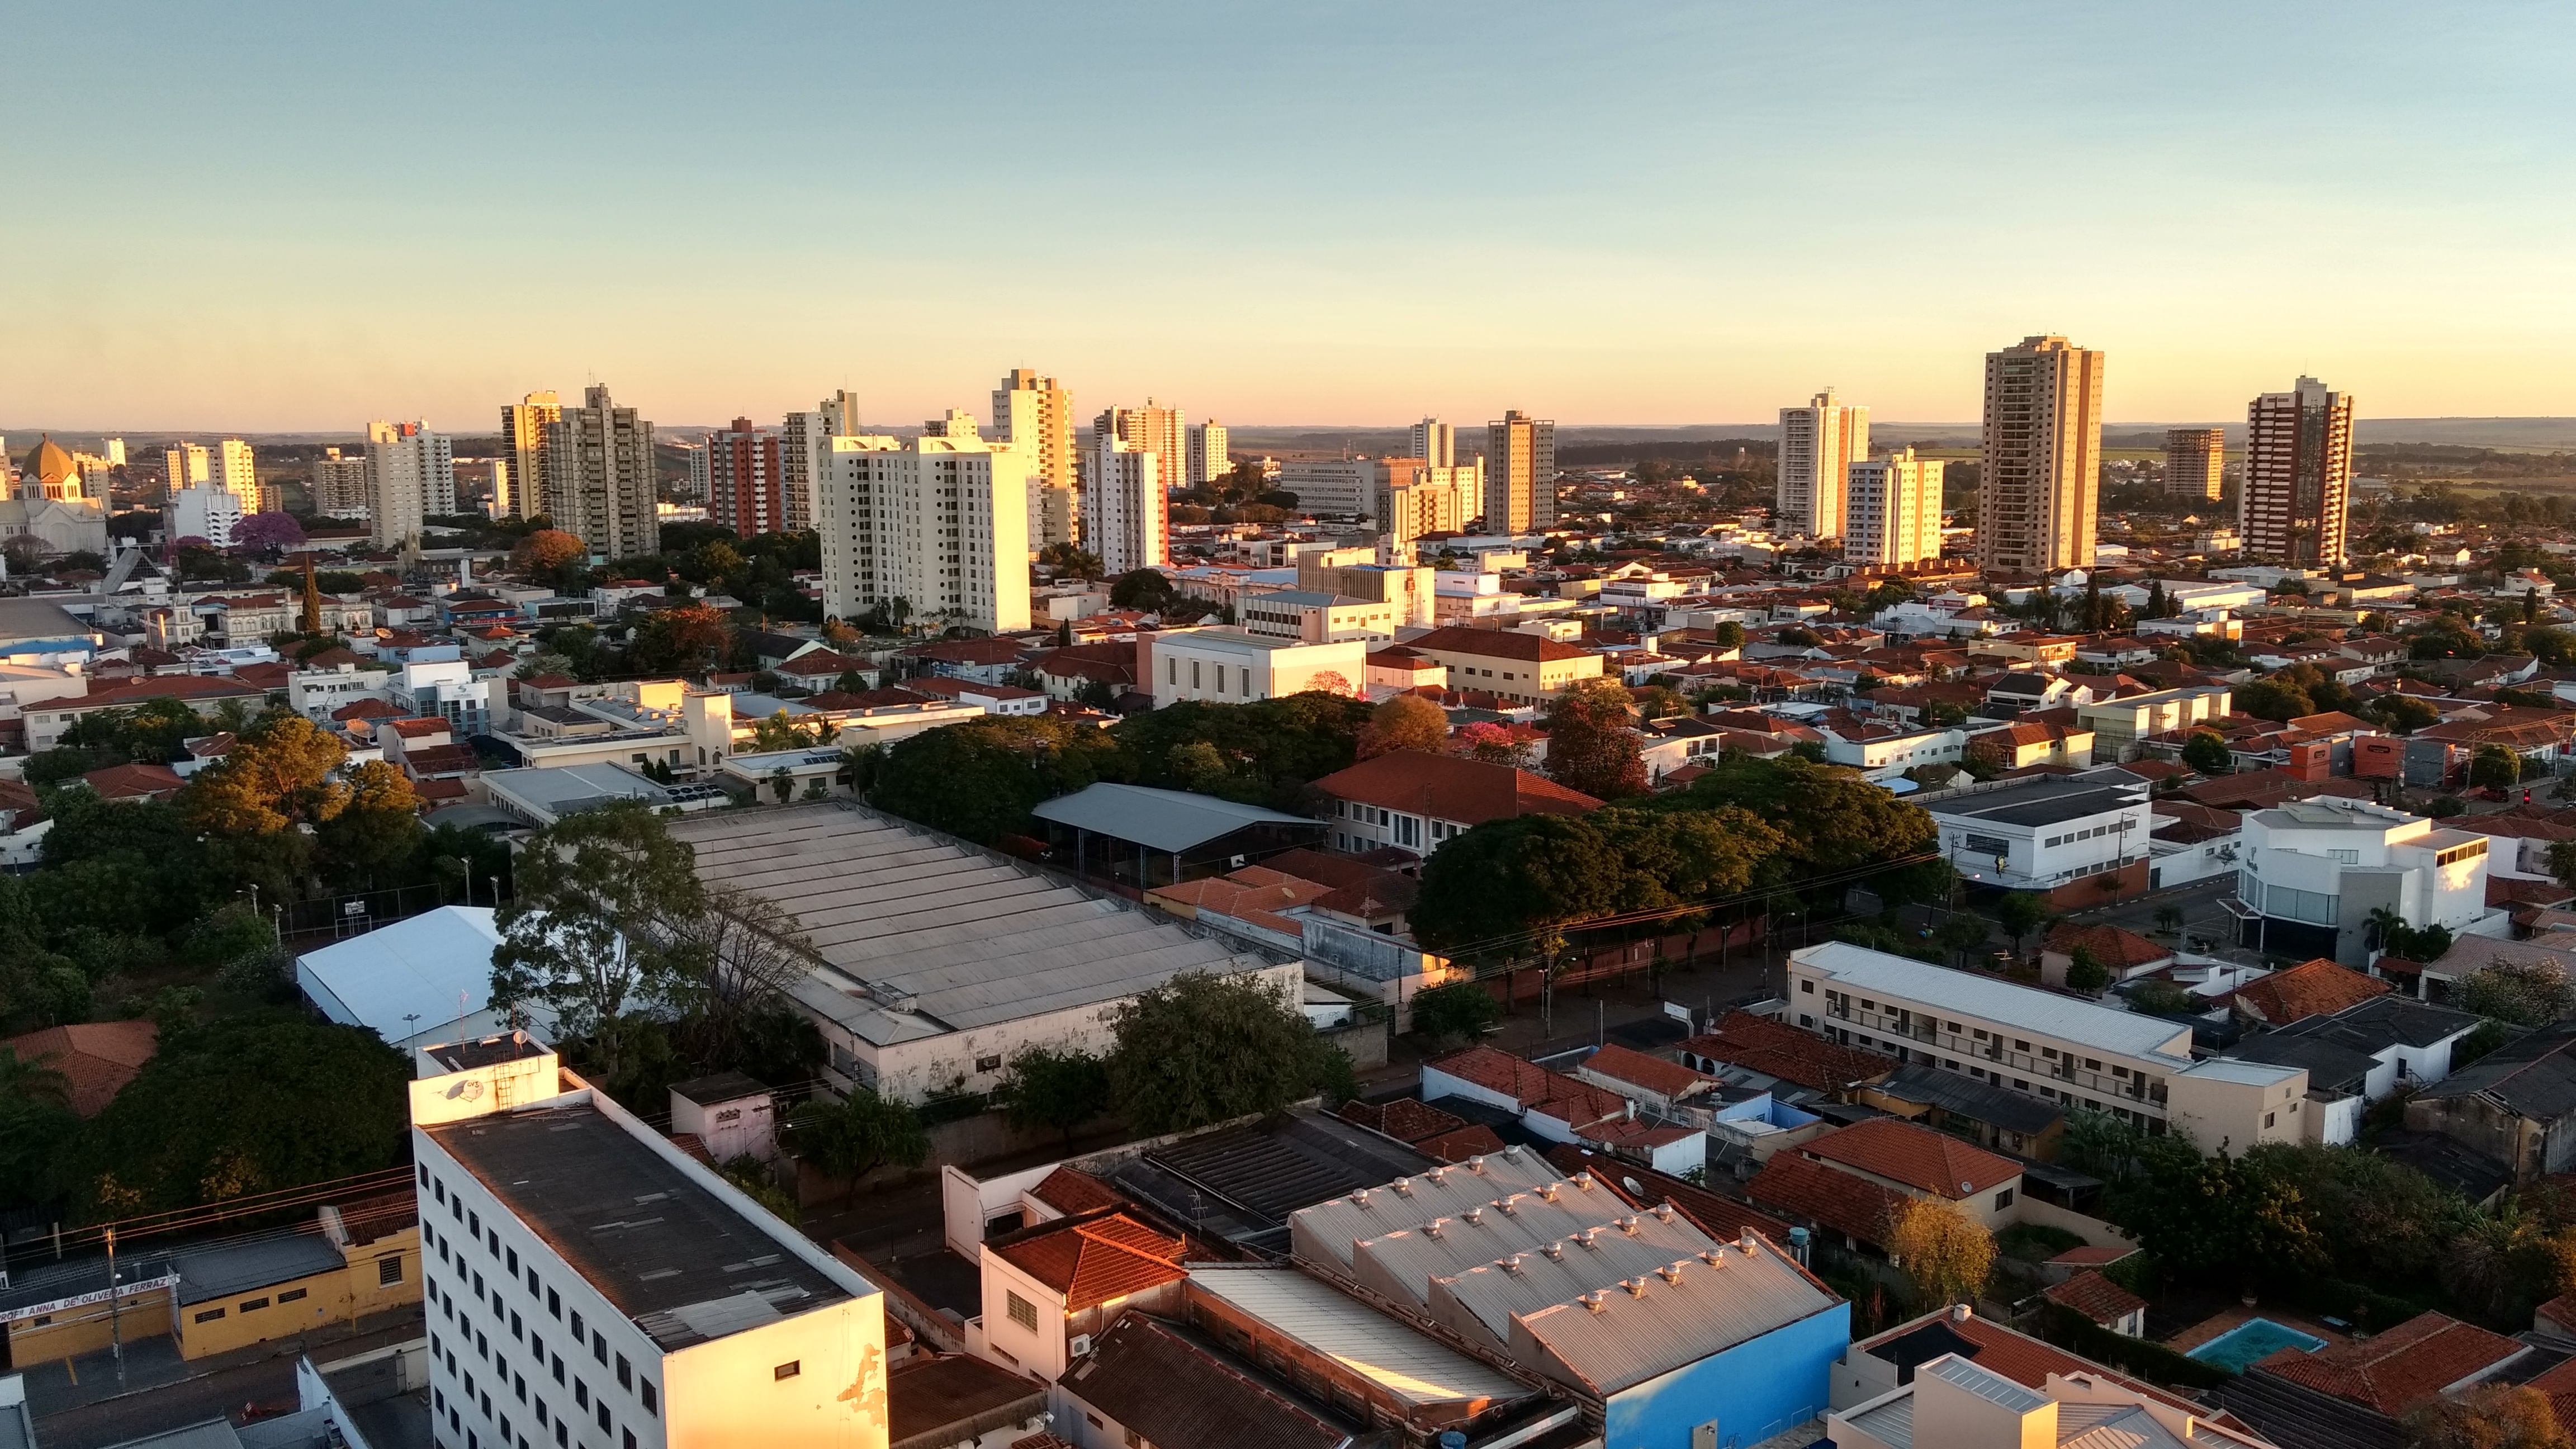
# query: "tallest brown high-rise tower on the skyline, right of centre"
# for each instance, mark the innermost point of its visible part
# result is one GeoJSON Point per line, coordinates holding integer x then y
{"type": "Point", "coordinates": [2041, 481]}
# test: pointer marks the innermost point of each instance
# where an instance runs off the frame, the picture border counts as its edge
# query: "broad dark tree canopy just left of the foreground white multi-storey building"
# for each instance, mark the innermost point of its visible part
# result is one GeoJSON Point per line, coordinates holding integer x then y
{"type": "Point", "coordinates": [241, 1107]}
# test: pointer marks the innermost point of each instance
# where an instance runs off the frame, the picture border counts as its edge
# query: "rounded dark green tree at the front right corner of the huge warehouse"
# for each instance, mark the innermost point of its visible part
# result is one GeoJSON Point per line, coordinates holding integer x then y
{"type": "Point", "coordinates": [1202, 1048]}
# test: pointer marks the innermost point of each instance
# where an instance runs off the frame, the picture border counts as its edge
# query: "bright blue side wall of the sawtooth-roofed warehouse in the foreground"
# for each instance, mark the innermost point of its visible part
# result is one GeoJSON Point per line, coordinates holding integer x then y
{"type": "Point", "coordinates": [1750, 1391]}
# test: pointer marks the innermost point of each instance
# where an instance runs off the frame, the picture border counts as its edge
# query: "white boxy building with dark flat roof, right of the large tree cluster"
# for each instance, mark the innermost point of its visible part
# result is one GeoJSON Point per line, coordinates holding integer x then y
{"type": "Point", "coordinates": [2044, 831]}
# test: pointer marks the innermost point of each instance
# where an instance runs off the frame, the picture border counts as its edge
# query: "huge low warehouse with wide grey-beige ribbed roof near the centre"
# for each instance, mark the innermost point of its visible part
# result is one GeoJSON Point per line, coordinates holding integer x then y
{"type": "Point", "coordinates": [936, 963]}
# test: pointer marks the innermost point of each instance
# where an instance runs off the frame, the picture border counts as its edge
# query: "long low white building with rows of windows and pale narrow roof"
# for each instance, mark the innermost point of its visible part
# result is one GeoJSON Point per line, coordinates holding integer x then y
{"type": "Point", "coordinates": [2041, 1043]}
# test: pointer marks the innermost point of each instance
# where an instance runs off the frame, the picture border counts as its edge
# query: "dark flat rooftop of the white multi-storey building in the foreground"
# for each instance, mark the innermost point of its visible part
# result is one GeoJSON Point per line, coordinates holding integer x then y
{"type": "Point", "coordinates": [676, 1259]}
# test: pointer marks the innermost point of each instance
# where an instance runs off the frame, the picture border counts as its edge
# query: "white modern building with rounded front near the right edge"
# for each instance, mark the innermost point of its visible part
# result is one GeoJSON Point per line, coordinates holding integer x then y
{"type": "Point", "coordinates": [2317, 870]}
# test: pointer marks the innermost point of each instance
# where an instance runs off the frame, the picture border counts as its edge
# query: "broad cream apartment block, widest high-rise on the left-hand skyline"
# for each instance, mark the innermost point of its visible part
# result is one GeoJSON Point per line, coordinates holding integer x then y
{"type": "Point", "coordinates": [936, 522]}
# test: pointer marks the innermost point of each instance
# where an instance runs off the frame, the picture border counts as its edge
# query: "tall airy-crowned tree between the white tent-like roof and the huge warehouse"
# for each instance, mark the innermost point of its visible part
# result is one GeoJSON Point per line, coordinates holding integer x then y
{"type": "Point", "coordinates": [596, 922]}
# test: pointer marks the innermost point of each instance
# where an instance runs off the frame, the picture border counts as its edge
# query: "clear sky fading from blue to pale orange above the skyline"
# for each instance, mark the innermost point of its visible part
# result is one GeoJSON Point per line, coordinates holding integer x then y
{"type": "Point", "coordinates": [279, 215]}
